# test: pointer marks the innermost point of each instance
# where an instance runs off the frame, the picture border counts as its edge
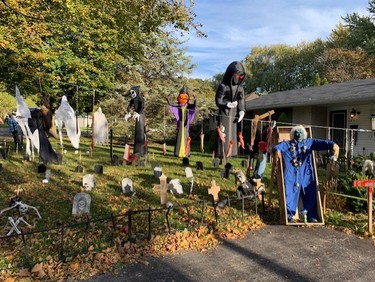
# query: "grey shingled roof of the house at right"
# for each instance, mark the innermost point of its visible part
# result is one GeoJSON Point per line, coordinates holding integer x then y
{"type": "Point", "coordinates": [348, 92]}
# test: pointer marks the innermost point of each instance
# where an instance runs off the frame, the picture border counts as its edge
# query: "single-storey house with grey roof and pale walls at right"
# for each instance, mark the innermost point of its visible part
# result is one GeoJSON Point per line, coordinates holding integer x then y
{"type": "Point", "coordinates": [343, 112]}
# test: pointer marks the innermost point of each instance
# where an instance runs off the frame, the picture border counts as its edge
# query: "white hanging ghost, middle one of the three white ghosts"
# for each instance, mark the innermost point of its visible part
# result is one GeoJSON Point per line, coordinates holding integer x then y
{"type": "Point", "coordinates": [66, 115]}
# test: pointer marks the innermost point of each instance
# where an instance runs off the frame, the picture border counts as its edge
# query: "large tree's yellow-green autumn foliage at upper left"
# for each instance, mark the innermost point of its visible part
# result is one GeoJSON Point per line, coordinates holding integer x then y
{"type": "Point", "coordinates": [85, 43]}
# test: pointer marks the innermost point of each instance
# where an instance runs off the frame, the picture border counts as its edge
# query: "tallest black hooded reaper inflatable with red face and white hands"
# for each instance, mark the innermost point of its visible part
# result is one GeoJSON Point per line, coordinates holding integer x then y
{"type": "Point", "coordinates": [230, 101]}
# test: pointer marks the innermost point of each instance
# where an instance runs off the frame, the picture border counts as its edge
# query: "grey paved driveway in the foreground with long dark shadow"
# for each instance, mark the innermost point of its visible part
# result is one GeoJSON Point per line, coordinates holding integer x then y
{"type": "Point", "coordinates": [274, 253]}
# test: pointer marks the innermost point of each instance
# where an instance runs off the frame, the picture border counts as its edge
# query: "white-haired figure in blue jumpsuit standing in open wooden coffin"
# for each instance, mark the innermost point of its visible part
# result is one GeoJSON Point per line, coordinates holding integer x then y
{"type": "Point", "coordinates": [299, 172]}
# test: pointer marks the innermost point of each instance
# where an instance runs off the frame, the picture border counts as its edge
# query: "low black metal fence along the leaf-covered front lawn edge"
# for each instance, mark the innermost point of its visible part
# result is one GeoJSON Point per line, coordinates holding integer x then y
{"type": "Point", "coordinates": [97, 234]}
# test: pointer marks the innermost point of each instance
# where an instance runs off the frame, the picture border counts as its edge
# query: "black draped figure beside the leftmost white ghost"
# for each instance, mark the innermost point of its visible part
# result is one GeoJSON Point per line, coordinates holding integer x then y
{"type": "Point", "coordinates": [41, 120]}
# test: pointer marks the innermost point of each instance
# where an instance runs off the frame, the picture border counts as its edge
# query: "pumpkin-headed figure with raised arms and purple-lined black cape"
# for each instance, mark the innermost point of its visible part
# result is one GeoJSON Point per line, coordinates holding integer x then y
{"type": "Point", "coordinates": [184, 114]}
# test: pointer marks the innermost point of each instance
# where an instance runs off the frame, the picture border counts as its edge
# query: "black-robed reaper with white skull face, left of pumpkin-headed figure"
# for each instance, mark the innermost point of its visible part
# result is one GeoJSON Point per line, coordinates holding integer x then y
{"type": "Point", "coordinates": [137, 103]}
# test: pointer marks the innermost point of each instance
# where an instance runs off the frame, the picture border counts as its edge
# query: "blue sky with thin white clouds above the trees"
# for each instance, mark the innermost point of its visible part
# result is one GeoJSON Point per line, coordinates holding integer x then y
{"type": "Point", "coordinates": [234, 26]}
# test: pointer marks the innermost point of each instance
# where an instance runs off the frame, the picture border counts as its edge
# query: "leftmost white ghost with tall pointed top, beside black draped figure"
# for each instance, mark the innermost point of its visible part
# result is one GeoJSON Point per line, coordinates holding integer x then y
{"type": "Point", "coordinates": [22, 115]}
